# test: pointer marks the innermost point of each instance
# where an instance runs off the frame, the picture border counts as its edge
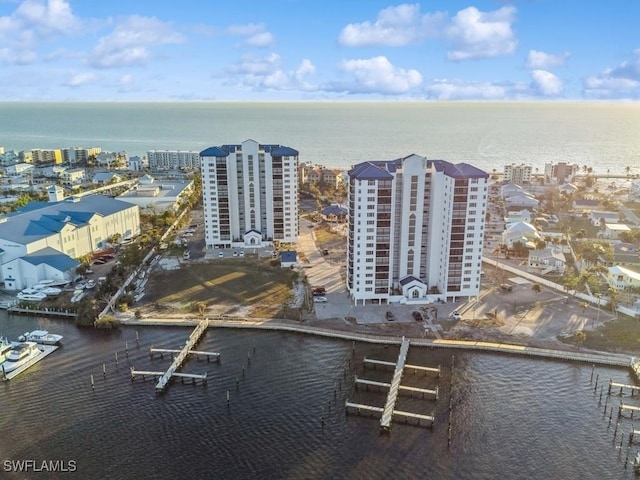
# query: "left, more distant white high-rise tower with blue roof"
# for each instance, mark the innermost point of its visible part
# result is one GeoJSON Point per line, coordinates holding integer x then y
{"type": "Point", "coordinates": [250, 194]}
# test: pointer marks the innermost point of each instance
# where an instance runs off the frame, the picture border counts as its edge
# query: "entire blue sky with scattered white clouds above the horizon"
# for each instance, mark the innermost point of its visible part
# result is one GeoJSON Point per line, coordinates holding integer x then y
{"type": "Point", "coordinates": [272, 50]}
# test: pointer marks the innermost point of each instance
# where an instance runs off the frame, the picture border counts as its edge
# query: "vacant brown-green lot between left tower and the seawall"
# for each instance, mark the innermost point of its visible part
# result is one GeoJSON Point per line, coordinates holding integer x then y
{"type": "Point", "coordinates": [241, 286]}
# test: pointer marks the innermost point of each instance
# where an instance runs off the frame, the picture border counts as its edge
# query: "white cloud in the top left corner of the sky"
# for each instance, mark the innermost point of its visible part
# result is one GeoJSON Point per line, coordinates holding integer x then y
{"type": "Point", "coordinates": [33, 23]}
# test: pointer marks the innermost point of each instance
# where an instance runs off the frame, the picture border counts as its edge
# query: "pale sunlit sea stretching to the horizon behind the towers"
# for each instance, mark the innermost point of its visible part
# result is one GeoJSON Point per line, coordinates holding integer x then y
{"type": "Point", "coordinates": [340, 134]}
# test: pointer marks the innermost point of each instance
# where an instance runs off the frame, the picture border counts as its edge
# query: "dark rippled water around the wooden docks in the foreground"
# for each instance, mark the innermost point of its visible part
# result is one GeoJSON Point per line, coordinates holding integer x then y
{"type": "Point", "coordinates": [512, 418]}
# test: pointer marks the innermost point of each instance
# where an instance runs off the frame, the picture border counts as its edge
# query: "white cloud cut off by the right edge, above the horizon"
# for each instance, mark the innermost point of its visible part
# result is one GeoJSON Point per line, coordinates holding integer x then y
{"type": "Point", "coordinates": [622, 81]}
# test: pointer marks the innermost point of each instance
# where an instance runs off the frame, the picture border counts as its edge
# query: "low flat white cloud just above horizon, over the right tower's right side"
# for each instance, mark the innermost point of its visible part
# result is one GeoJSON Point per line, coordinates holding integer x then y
{"type": "Point", "coordinates": [445, 89]}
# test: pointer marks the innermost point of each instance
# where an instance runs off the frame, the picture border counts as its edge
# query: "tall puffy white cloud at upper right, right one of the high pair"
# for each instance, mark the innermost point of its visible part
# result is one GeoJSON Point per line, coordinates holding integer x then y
{"type": "Point", "coordinates": [475, 34]}
